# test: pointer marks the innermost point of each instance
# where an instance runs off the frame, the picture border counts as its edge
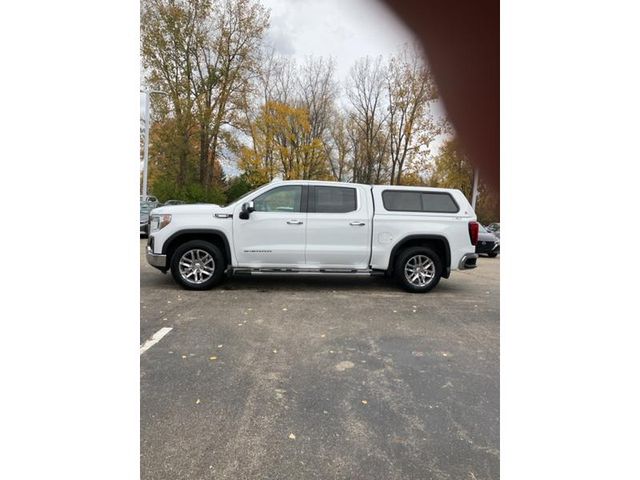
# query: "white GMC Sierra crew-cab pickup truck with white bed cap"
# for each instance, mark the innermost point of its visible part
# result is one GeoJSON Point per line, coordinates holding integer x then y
{"type": "Point", "coordinates": [415, 234]}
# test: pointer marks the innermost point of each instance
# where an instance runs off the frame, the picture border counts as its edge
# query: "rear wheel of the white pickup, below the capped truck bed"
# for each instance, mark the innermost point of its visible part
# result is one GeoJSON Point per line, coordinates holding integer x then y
{"type": "Point", "coordinates": [418, 269]}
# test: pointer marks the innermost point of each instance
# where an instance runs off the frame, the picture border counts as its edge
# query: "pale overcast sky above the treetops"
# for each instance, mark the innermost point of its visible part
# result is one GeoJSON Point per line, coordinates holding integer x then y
{"type": "Point", "coordinates": [343, 29]}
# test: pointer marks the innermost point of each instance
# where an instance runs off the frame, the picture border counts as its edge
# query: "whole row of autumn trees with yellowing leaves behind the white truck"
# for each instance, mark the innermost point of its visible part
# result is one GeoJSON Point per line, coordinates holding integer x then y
{"type": "Point", "coordinates": [230, 104]}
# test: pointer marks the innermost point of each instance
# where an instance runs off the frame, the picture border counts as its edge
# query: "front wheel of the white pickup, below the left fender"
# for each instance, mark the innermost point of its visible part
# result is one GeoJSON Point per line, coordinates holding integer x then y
{"type": "Point", "coordinates": [198, 265]}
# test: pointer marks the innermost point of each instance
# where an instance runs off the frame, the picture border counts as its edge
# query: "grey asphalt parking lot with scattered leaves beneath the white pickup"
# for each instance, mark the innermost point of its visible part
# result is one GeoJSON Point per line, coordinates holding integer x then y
{"type": "Point", "coordinates": [321, 377]}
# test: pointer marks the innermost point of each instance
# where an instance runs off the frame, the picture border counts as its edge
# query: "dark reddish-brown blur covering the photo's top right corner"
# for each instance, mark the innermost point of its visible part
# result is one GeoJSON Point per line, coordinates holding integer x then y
{"type": "Point", "coordinates": [462, 43]}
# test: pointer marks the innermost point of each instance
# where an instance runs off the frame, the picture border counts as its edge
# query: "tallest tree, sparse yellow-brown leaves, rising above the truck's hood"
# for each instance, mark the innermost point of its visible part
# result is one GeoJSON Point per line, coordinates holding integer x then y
{"type": "Point", "coordinates": [202, 53]}
